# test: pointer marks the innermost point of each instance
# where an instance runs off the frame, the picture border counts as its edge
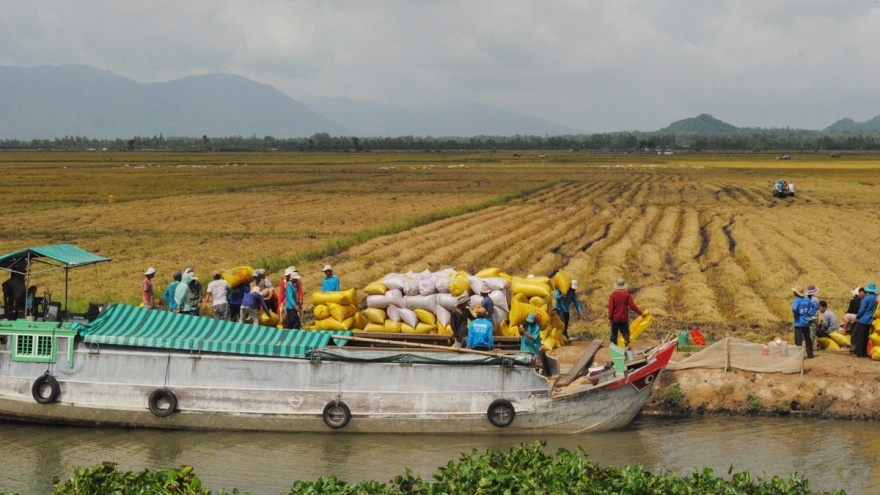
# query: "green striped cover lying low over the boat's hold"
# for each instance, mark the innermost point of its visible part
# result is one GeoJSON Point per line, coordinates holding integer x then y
{"type": "Point", "coordinates": [138, 327]}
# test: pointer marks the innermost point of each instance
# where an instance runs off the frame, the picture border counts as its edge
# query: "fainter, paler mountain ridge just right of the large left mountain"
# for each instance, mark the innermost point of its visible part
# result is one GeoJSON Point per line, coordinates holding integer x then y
{"type": "Point", "coordinates": [367, 118]}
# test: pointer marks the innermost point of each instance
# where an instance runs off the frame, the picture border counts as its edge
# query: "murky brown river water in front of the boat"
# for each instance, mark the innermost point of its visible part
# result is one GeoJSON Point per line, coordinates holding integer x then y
{"type": "Point", "coordinates": [831, 454]}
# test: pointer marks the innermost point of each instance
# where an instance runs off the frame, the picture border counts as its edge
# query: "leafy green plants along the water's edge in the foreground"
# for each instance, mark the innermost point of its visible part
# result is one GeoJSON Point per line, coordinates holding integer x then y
{"type": "Point", "coordinates": [522, 470]}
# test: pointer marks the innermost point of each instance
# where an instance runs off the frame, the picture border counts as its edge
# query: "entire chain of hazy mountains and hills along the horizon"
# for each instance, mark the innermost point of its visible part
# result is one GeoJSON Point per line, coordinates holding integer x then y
{"type": "Point", "coordinates": [76, 100]}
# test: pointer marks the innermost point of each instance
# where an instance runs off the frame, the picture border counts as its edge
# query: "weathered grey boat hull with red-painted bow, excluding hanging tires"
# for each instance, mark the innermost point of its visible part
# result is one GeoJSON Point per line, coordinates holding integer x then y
{"type": "Point", "coordinates": [223, 392]}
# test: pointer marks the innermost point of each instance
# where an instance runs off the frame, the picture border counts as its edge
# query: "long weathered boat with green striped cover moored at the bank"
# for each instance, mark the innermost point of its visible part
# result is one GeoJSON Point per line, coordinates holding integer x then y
{"type": "Point", "coordinates": [141, 368]}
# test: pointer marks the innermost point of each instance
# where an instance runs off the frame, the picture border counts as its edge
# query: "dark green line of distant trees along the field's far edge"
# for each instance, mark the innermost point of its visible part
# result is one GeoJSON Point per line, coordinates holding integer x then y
{"type": "Point", "coordinates": [752, 140]}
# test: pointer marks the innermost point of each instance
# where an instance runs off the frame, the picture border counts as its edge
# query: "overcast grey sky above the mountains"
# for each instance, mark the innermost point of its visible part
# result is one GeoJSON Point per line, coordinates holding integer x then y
{"type": "Point", "coordinates": [594, 65]}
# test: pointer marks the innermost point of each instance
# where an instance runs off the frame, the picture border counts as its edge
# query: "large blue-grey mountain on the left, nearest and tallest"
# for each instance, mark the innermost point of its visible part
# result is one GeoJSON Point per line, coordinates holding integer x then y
{"type": "Point", "coordinates": [54, 101]}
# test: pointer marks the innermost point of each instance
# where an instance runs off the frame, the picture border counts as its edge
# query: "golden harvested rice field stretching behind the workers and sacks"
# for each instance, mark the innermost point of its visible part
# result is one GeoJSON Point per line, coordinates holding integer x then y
{"type": "Point", "coordinates": [700, 239]}
